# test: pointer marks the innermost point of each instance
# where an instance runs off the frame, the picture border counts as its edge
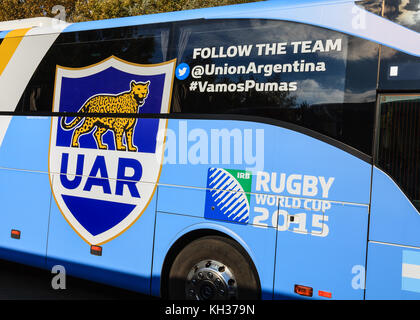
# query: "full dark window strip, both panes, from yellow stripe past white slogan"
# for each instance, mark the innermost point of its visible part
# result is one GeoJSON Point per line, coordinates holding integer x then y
{"type": "Point", "coordinates": [316, 78]}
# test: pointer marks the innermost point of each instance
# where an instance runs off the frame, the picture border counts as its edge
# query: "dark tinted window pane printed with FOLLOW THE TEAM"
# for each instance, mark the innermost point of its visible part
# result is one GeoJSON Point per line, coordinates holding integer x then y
{"type": "Point", "coordinates": [313, 77]}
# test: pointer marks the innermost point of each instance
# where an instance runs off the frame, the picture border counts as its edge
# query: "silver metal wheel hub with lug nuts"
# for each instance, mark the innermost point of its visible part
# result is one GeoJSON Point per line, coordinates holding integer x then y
{"type": "Point", "coordinates": [210, 280]}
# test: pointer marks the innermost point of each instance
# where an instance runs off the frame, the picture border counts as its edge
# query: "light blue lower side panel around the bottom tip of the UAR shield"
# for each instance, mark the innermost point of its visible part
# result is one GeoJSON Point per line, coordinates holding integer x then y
{"type": "Point", "coordinates": [125, 261]}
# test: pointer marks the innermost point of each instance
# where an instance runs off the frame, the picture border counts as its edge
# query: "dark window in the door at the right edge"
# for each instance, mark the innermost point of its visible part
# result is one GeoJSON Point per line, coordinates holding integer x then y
{"type": "Point", "coordinates": [398, 151]}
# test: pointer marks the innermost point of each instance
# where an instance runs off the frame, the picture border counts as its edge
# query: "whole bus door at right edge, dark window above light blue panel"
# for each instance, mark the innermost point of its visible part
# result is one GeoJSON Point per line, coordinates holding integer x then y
{"type": "Point", "coordinates": [393, 262]}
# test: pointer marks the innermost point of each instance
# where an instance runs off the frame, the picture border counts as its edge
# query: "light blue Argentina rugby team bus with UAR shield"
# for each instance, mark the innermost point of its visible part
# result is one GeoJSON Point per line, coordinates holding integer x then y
{"type": "Point", "coordinates": [267, 150]}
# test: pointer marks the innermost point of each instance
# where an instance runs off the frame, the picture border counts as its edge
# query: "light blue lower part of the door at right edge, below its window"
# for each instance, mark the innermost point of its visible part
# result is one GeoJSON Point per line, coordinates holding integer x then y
{"type": "Point", "coordinates": [394, 222]}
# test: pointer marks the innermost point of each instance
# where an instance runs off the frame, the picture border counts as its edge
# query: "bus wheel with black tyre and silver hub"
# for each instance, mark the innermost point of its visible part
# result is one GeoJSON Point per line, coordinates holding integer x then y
{"type": "Point", "coordinates": [212, 268]}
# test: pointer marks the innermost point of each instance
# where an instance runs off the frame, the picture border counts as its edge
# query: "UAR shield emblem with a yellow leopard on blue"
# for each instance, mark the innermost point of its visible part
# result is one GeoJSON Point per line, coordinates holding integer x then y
{"type": "Point", "coordinates": [104, 170]}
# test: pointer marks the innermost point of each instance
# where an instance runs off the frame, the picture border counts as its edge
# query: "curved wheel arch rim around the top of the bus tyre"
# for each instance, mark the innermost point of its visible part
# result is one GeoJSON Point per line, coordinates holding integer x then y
{"type": "Point", "coordinates": [187, 237]}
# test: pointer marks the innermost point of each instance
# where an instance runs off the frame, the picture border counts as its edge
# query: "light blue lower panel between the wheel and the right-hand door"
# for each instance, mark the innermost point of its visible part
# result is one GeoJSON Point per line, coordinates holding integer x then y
{"type": "Point", "coordinates": [329, 261]}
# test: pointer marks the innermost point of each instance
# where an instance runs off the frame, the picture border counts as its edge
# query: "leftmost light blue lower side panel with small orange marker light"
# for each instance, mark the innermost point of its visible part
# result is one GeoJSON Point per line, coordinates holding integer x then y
{"type": "Point", "coordinates": [25, 204]}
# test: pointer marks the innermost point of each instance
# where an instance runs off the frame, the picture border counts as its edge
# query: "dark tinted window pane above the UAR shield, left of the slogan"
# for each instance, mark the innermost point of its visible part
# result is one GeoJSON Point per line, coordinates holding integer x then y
{"type": "Point", "coordinates": [81, 49]}
